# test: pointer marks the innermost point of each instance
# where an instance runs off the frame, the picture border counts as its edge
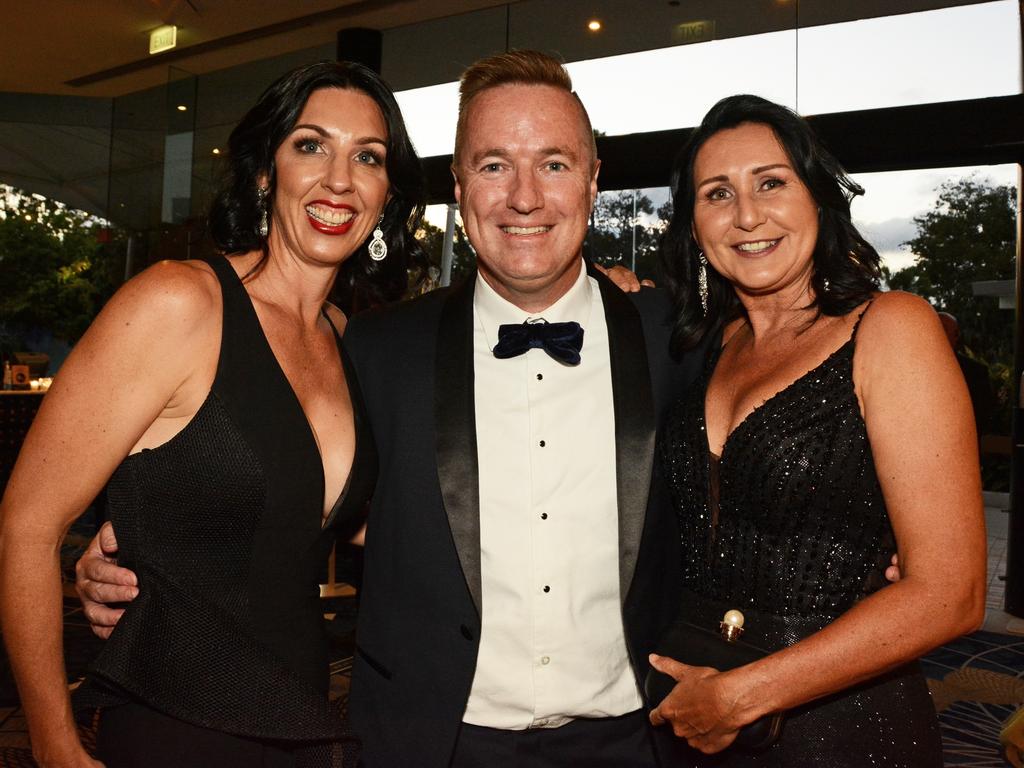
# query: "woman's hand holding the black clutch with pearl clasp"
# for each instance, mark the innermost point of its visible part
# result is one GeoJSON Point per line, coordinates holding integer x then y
{"type": "Point", "coordinates": [702, 708]}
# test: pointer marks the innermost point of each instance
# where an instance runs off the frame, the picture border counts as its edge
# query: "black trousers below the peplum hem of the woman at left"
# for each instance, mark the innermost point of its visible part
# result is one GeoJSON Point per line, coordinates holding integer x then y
{"type": "Point", "coordinates": [133, 736]}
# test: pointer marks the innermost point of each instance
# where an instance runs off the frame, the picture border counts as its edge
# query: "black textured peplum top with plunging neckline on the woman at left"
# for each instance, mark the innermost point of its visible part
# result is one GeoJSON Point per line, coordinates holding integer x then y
{"type": "Point", "coordinates": [224, 527]}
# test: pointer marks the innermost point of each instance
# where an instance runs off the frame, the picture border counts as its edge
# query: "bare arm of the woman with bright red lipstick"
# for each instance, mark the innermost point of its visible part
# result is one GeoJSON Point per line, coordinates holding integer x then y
{"type": "Point", "coordinates": [133, 380]}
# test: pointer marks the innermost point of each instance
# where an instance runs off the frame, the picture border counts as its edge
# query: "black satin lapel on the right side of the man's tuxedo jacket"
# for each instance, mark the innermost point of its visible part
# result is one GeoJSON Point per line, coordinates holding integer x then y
{"type": "Point", "coordinates": [635, 428]}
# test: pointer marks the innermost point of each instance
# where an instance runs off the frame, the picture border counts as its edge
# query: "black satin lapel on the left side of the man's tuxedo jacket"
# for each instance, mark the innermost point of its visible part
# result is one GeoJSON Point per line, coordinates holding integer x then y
{"type": "Point", "coordinates": [455, 421]}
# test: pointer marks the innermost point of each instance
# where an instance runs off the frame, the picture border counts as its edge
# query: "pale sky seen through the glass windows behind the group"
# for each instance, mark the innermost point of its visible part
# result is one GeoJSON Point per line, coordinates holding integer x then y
{"type": "Point", "coordinates": [942, 56]}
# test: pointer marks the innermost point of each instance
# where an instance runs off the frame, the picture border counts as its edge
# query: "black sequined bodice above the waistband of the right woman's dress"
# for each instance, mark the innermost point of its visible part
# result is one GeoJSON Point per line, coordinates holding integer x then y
{"type": "Point", "coordinates": [801, 527]}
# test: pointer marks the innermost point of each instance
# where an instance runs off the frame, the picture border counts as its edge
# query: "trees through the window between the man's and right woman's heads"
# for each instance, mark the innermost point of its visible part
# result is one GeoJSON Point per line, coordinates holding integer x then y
{"type": "Point", "coordinates": [611, 240]}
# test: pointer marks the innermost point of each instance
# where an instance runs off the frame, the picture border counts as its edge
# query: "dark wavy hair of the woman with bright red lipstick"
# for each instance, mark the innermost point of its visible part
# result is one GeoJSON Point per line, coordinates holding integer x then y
{"type": "Point", "coordinates": [235, 214]}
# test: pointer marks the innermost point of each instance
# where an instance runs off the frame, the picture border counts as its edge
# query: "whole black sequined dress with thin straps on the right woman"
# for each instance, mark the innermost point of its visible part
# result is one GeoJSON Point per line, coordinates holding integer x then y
{"type": "Point", "coordinates": [790, 527]}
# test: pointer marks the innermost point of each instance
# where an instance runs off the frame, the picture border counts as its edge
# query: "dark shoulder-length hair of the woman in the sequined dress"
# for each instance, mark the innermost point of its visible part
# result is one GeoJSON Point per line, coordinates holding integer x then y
{"type": "Point", "coordinates": [847, 269]}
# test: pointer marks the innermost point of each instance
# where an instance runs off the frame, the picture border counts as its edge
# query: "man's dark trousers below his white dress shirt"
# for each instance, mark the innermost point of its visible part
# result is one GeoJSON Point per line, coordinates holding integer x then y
{"type": "Point", "coordinates": [607, 743]}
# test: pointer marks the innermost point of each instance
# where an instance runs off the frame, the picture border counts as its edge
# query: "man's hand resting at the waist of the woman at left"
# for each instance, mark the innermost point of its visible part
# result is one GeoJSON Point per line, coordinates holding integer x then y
{"type": "Point", "coordinates": [100, 583]}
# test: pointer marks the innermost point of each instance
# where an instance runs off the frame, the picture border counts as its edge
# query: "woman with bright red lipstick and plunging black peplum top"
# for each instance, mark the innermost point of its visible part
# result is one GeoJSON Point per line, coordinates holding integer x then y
{"type": "Point", "coordinates": [217, 399]}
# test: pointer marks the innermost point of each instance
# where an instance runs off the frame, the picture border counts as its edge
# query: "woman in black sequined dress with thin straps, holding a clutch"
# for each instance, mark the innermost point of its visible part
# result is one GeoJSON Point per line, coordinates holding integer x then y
{"type": "Point", "coordinates": [831, 430]}
